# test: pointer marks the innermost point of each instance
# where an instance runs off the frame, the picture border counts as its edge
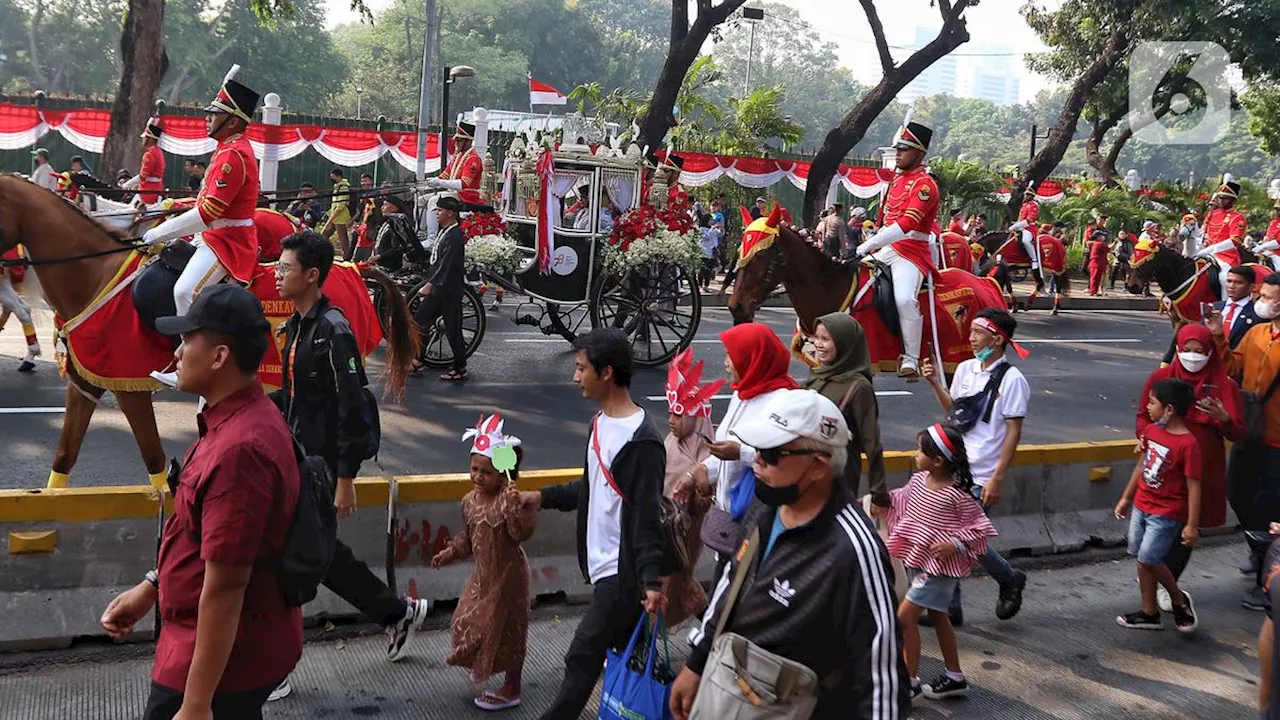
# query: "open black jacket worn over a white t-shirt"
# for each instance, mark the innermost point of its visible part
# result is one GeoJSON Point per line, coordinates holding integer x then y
{"type": "Point", "coordinates": [641, 470]}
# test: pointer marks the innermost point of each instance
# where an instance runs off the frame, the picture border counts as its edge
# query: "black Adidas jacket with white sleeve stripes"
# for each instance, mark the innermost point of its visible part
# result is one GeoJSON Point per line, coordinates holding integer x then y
{"type": "Point", "coordinates": [824, 598]}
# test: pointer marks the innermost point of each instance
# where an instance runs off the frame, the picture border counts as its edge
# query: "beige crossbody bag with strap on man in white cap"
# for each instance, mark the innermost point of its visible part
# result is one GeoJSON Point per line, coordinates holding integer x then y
{"type": "Point", "coordinates": [746, 682]}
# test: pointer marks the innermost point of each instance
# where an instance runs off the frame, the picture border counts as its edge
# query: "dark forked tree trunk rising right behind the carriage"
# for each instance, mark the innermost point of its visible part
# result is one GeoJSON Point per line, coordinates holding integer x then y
{"type": "Point", "coordinates": [685, 44]}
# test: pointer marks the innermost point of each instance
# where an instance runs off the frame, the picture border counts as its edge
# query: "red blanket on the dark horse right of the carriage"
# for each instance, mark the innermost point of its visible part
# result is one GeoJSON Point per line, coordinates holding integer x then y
{"type": "Point", "coordinates": [959, 297]}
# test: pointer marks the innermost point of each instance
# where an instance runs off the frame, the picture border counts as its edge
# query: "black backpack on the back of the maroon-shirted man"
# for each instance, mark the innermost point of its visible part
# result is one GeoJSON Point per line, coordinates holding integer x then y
{"type": "Point", "coordinates": [309, 546]}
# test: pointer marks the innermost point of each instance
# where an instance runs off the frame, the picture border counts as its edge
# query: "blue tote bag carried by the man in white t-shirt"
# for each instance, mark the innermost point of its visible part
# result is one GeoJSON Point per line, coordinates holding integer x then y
{"type": "Point", "coordinates": [632, 694]}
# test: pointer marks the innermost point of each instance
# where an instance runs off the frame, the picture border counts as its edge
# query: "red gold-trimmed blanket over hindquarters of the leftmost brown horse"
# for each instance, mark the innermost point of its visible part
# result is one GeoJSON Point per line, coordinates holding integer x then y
{"type": "Point", "coordinates": [345, 289]}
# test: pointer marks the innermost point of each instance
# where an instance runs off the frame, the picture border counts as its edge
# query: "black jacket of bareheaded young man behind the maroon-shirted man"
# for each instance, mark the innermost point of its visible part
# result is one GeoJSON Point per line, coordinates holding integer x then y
{"type": "Point", "coordinates": [323, 389]}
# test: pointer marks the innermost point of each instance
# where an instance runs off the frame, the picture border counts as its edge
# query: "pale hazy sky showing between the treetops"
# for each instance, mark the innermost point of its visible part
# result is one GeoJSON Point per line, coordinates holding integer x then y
{"type": "Point", "coordinates": [991, 24]}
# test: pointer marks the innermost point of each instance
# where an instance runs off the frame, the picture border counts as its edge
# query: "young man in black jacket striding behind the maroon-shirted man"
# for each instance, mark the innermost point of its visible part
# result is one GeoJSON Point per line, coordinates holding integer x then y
{"type": "Point", "coordinates": [328, 409]}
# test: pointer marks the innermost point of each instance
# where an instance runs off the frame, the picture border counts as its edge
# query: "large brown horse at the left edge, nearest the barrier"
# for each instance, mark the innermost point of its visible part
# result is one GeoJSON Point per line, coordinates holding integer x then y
{"type": "Point", "coordinates": [76, 259]}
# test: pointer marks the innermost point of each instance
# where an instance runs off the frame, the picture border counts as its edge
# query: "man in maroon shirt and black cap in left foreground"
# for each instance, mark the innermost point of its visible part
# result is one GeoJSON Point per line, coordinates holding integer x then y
{"type": "Point", "coordinates": [227, 635]}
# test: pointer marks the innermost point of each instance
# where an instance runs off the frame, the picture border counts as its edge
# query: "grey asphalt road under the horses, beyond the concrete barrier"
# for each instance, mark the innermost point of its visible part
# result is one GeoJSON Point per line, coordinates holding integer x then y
{"type": "Point", "coordinates": [1085, 371]}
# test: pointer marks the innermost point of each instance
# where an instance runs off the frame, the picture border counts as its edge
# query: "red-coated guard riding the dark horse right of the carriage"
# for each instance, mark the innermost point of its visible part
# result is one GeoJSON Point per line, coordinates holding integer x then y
{"type": "Point", "coordinates": [908, 215]}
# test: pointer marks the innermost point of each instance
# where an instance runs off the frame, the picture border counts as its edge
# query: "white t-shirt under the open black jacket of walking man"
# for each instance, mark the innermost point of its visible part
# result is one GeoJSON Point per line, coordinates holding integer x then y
{"type": "Point", "coordinates": [605, 512]}
